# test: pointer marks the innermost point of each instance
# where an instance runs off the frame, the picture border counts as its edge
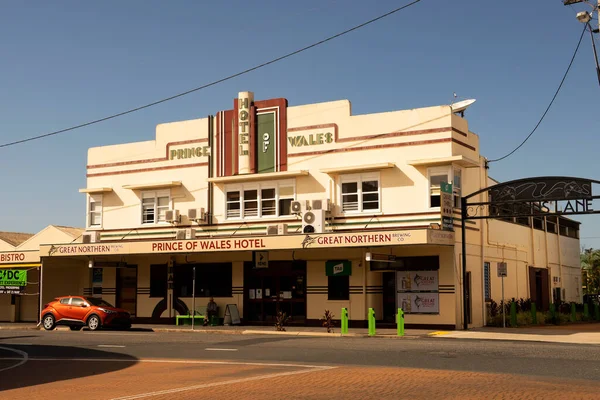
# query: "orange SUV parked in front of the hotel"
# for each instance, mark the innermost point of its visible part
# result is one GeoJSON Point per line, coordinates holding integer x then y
{"type": "Point", "coordinates": [78, 311]}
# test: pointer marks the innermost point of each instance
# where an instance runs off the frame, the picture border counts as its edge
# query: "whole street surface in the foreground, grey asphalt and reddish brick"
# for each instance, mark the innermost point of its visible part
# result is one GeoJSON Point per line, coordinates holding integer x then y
{"type": "Point", "coordinates": [32, 361]}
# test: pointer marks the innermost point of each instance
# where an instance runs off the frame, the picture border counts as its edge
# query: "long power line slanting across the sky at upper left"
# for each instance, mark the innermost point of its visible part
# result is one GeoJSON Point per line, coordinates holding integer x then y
{"type": "Point", "coordinates": [214, 82]}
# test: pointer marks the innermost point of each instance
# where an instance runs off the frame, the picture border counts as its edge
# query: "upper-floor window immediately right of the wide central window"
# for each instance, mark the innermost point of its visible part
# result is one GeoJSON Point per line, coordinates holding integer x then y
{"type": "Point", "coordinates": [360, 193]}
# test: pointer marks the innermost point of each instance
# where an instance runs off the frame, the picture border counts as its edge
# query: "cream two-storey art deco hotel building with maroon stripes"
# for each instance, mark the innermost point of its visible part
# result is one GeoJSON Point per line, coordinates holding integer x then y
{"type": "Point", "coordinates": [304, 209]}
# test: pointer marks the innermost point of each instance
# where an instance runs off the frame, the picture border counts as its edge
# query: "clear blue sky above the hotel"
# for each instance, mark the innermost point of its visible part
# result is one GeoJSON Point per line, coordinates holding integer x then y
{"type": "Point", "coordinates": [68, 62]}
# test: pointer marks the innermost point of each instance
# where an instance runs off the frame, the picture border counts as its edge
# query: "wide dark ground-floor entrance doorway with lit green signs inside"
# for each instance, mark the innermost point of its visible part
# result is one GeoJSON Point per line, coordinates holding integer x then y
{"type": "Point", "coordinates": [279, 288]}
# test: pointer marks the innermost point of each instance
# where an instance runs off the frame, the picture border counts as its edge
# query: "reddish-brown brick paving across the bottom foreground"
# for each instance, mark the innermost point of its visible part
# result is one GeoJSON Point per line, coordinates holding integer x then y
{"type": "Point", "coordinates": [242, 381]}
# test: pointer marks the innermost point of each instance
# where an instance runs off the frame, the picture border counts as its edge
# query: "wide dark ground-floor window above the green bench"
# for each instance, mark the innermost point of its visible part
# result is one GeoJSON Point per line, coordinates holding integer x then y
{"type": "Point", "coordinates": [211, 280]}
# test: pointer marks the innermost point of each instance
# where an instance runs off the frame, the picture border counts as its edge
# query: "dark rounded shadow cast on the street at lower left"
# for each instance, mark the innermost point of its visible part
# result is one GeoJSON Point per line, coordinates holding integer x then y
{"type": "Point", "coordinates": [62, 363]}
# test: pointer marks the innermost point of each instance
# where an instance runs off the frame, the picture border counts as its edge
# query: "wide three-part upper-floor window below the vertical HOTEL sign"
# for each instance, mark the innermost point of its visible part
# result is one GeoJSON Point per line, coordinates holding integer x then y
{"type": "Point", "coordinates": [257, 201]}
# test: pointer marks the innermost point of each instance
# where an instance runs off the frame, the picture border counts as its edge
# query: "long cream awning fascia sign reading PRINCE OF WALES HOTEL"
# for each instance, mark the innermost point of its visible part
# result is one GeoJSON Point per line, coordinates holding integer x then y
{"type": "Point", "coordinates": [300, 241]}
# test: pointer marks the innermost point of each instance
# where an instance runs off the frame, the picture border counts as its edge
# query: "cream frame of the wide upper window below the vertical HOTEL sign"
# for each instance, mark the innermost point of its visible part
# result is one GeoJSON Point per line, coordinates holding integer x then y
{"type": "Point", "coordinates": [242, 188]}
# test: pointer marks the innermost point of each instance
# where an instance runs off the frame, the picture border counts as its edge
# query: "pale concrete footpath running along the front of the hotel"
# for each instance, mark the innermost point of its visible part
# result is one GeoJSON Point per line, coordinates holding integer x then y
{"type": "Point", "coordinates": [588, 333]}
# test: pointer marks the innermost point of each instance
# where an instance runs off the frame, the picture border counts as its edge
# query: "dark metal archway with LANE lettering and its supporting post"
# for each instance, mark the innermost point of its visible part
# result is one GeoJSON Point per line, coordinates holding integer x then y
{"type": "Point", "coordinates": [538, 196]}
